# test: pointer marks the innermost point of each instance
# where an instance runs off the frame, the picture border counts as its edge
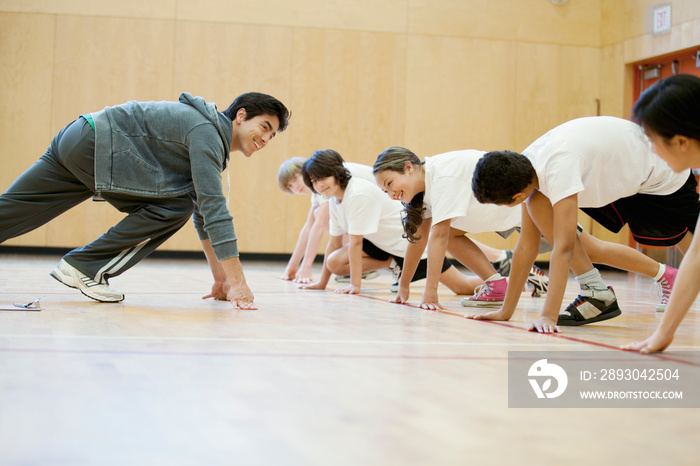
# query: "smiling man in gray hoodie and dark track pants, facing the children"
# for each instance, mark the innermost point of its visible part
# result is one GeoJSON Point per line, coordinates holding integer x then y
{"type": "Point", "coordinates": [158, 162]}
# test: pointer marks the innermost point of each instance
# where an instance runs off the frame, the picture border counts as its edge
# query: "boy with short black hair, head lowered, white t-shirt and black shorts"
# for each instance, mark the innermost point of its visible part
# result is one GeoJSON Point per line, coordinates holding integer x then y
{"type": "Point", "coordinates": [604, 166]}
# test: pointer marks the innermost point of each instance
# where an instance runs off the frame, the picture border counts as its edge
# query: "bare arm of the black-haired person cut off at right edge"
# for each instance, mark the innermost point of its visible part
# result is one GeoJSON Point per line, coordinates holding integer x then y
{"type": "Point", "coordinates": [685, 290]}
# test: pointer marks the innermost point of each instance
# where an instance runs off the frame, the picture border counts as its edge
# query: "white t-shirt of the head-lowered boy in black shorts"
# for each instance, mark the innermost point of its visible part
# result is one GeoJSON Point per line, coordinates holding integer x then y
{"type": "Point", "coordinates": [602, 159]}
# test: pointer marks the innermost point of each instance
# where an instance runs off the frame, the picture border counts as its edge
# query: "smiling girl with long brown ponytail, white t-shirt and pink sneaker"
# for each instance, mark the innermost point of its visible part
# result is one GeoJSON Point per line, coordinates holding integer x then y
{"type": "Point", "coordinates": [440, 209]}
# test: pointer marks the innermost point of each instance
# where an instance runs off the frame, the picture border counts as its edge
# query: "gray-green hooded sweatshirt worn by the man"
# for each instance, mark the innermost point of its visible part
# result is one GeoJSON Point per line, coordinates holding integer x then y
{"type": "Point", "coordinates": [168, 149]}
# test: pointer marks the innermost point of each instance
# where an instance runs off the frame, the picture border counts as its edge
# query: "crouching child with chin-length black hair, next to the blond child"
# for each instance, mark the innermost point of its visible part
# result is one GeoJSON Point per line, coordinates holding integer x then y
{"type": "Point", "coordinates": [373, 222]}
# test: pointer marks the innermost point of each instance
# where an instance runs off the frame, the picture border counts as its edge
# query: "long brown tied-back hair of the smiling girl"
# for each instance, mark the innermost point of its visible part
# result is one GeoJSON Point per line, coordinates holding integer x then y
{"type": "Point", "coordinates": [394, 159]}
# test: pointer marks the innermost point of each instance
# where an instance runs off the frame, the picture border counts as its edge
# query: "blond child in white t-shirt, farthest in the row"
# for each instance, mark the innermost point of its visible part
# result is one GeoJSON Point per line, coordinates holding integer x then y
{"type": "Point", "coordinates": [290, 181]}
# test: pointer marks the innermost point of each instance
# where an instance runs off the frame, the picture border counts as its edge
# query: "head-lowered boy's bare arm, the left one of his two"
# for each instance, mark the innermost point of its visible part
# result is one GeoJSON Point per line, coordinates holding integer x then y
{"type": "Point", "coordinates": [524, 256]}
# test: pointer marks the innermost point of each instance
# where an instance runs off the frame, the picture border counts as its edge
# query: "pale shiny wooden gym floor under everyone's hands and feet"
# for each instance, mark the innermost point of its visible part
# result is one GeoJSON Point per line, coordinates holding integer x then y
{"type": "Point", "coordinates": [311, 378]}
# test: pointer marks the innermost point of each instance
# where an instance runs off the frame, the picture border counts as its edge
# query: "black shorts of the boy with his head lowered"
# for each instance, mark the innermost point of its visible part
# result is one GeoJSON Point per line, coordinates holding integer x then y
{"type": "Point", "coordinates": [654, 220]}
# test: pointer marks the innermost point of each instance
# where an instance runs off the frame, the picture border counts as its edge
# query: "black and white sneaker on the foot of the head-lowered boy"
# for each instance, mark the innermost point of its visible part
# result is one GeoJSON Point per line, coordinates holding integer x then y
{"type": "Point", "coordinates": [590, 306]}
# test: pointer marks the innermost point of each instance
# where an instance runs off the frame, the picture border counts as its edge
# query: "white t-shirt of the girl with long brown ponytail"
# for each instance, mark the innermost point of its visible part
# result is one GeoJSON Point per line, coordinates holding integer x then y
{"type": "Point", "coordinates": [448, 195]}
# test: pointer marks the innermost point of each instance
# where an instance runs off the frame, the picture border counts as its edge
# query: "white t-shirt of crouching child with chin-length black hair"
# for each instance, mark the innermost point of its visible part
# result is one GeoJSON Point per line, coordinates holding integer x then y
{"type": "Point", "coordinates": [366, 210]}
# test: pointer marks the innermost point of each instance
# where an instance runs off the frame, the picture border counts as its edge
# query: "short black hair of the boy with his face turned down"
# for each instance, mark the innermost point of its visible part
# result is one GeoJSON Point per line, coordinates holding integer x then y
{"type": "Point", "coordinates": [500, 175]}
